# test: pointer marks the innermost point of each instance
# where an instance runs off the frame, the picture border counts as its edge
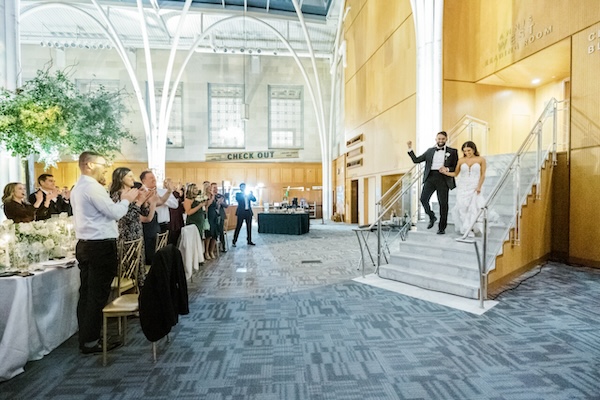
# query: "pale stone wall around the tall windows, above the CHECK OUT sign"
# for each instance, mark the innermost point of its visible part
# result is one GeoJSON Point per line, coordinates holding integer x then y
{"type": "Point", "coordinates": [202, 69]}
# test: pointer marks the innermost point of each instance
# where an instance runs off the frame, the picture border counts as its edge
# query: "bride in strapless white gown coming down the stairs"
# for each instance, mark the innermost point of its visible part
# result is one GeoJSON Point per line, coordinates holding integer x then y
{"type": "Point", "coordinates": [470, 171]}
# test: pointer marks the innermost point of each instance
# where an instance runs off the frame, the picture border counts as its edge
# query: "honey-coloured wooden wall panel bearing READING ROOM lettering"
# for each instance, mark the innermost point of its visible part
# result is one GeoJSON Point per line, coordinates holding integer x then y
{"type": "Point", "coordinates": [487, 36]}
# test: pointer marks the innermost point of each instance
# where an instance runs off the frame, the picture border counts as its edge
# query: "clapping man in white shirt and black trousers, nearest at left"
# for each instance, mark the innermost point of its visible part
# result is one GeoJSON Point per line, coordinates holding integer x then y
{"type": "Point", "coordinates": [95, 218]}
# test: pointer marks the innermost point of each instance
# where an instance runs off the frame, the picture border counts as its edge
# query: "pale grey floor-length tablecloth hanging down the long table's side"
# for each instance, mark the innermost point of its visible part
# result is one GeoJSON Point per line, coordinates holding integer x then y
{"type": "Point", "coordinates": [37, 314]}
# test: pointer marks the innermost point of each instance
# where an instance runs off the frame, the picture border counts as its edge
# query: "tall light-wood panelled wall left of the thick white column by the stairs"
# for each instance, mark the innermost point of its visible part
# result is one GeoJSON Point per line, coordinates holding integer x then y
{"type": "Point", "coordinates": [380, 88]}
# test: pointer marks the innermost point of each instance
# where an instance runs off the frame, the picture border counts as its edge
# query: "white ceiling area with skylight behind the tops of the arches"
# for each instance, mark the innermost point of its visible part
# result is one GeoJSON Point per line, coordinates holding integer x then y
{"type": "Point", "coordinates": [78, 23]}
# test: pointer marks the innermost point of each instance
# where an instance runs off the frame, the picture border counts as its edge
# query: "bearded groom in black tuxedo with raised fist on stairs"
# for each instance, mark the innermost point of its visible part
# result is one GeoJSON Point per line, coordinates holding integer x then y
{"type": "Point", "coordinates": [433, 181]}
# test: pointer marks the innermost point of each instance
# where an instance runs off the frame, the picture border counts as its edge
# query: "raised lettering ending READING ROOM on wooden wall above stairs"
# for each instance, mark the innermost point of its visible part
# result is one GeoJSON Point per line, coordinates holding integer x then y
{"type": "Point", "coordinates": [517, 37]}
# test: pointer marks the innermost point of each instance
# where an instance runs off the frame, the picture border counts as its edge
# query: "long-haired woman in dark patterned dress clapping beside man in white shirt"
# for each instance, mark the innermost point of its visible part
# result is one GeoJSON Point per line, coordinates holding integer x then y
{"type": "Point", "coordinates": [142, 209]}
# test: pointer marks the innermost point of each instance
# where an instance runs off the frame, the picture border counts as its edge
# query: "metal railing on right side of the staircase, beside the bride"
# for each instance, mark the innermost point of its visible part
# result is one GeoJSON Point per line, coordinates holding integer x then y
{"type": "Point", "coordinates": [494, 220]}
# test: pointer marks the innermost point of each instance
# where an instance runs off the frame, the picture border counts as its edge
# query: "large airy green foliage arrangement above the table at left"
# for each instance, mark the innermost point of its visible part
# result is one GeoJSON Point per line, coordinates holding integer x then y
{"type": "Point", "coordinates": [49, 117]}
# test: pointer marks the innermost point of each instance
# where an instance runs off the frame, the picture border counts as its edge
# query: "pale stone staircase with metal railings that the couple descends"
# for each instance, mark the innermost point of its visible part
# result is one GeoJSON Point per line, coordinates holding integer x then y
{"type": "Point", "coordinates": [439, 262]}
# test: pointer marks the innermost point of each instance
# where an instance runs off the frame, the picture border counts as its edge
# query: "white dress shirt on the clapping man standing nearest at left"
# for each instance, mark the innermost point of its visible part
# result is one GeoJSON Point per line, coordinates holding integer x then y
{"type": "Point", "coordinates": [95, 215]}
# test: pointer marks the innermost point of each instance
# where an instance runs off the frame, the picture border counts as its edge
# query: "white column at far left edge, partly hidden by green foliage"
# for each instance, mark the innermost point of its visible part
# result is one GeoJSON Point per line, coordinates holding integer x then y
{"type": "Point", "coordinates": [10, 167]}
